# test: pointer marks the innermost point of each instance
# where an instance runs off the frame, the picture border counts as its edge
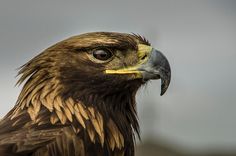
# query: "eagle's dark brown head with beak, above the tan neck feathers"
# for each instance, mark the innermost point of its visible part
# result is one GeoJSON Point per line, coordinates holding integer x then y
{"type": "Point", "coordinates": [100, 63]}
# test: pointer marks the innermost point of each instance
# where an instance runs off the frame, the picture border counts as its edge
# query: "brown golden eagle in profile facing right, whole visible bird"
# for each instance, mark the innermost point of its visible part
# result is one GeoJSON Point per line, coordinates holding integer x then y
{"type": "Point", "coordinates": [78, 97]}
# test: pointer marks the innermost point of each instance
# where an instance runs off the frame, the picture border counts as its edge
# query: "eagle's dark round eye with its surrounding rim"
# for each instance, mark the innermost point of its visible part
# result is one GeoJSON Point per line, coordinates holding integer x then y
{"type": "Point", "coordinates": [102, 55]}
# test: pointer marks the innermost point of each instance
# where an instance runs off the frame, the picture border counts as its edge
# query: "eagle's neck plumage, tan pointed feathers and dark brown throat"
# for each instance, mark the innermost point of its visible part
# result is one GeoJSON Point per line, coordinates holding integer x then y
{"type": "Point", "coordinates": [109, 119]}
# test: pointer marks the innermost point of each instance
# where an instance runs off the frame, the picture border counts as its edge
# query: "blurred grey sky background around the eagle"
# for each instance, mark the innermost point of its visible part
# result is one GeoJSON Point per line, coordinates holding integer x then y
{"type": "Point", "coordinates": [197, 115]}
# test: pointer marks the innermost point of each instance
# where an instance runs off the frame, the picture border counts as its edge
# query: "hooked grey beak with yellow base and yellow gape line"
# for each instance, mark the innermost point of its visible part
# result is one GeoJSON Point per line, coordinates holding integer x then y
{"type": "Point", "coordinates": [154, 66]}
